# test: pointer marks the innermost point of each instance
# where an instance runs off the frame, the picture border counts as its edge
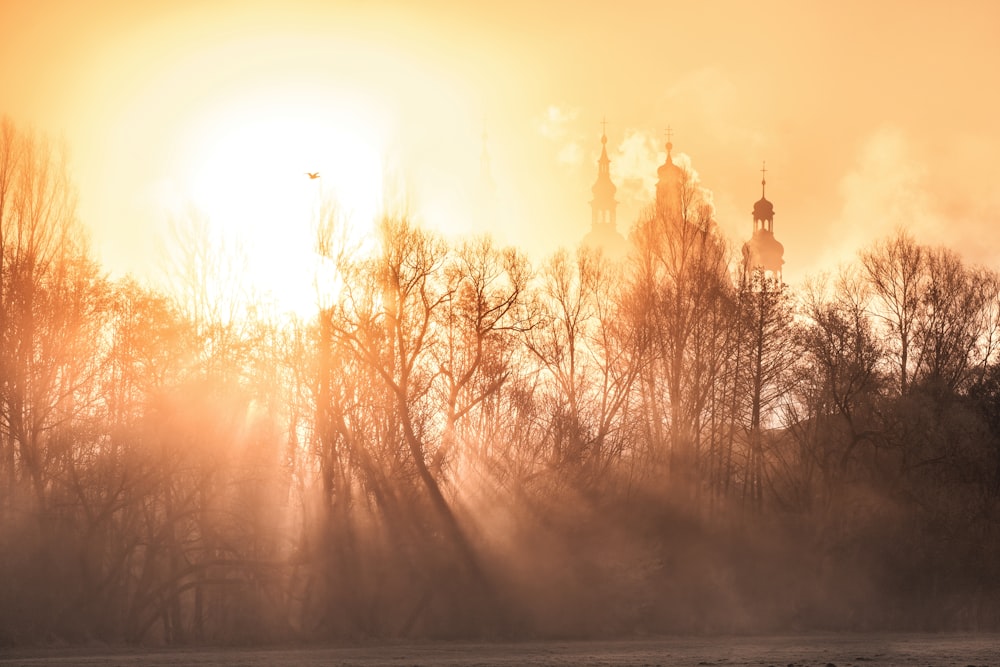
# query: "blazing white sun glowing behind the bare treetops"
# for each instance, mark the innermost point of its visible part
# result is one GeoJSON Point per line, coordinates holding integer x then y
{"type": "Point", "coordinates": [260, 168]}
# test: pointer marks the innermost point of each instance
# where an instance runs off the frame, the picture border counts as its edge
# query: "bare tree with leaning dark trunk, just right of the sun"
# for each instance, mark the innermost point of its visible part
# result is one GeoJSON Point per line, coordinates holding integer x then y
{"type": "Point", "coordinates": [390, 319]}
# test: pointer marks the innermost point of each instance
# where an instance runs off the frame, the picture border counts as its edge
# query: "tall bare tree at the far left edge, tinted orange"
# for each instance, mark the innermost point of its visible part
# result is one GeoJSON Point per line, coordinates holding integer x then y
{"type": "Point", "coordinates": [44, 302]}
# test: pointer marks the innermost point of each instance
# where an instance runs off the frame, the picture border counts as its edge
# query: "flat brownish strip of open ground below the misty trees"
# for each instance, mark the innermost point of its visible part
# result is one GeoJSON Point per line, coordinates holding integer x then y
{"type": "Point", "coordinates": [927, 650]}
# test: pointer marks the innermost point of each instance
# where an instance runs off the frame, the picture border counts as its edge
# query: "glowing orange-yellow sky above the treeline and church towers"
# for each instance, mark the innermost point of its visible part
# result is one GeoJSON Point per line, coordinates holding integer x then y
{"type": "Point", "coordinates": [869, 115]}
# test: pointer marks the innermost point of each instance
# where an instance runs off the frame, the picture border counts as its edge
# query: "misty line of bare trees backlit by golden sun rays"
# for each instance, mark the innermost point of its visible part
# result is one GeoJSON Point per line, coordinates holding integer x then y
{"type": "Point", "coordinates": [461, 444]}
